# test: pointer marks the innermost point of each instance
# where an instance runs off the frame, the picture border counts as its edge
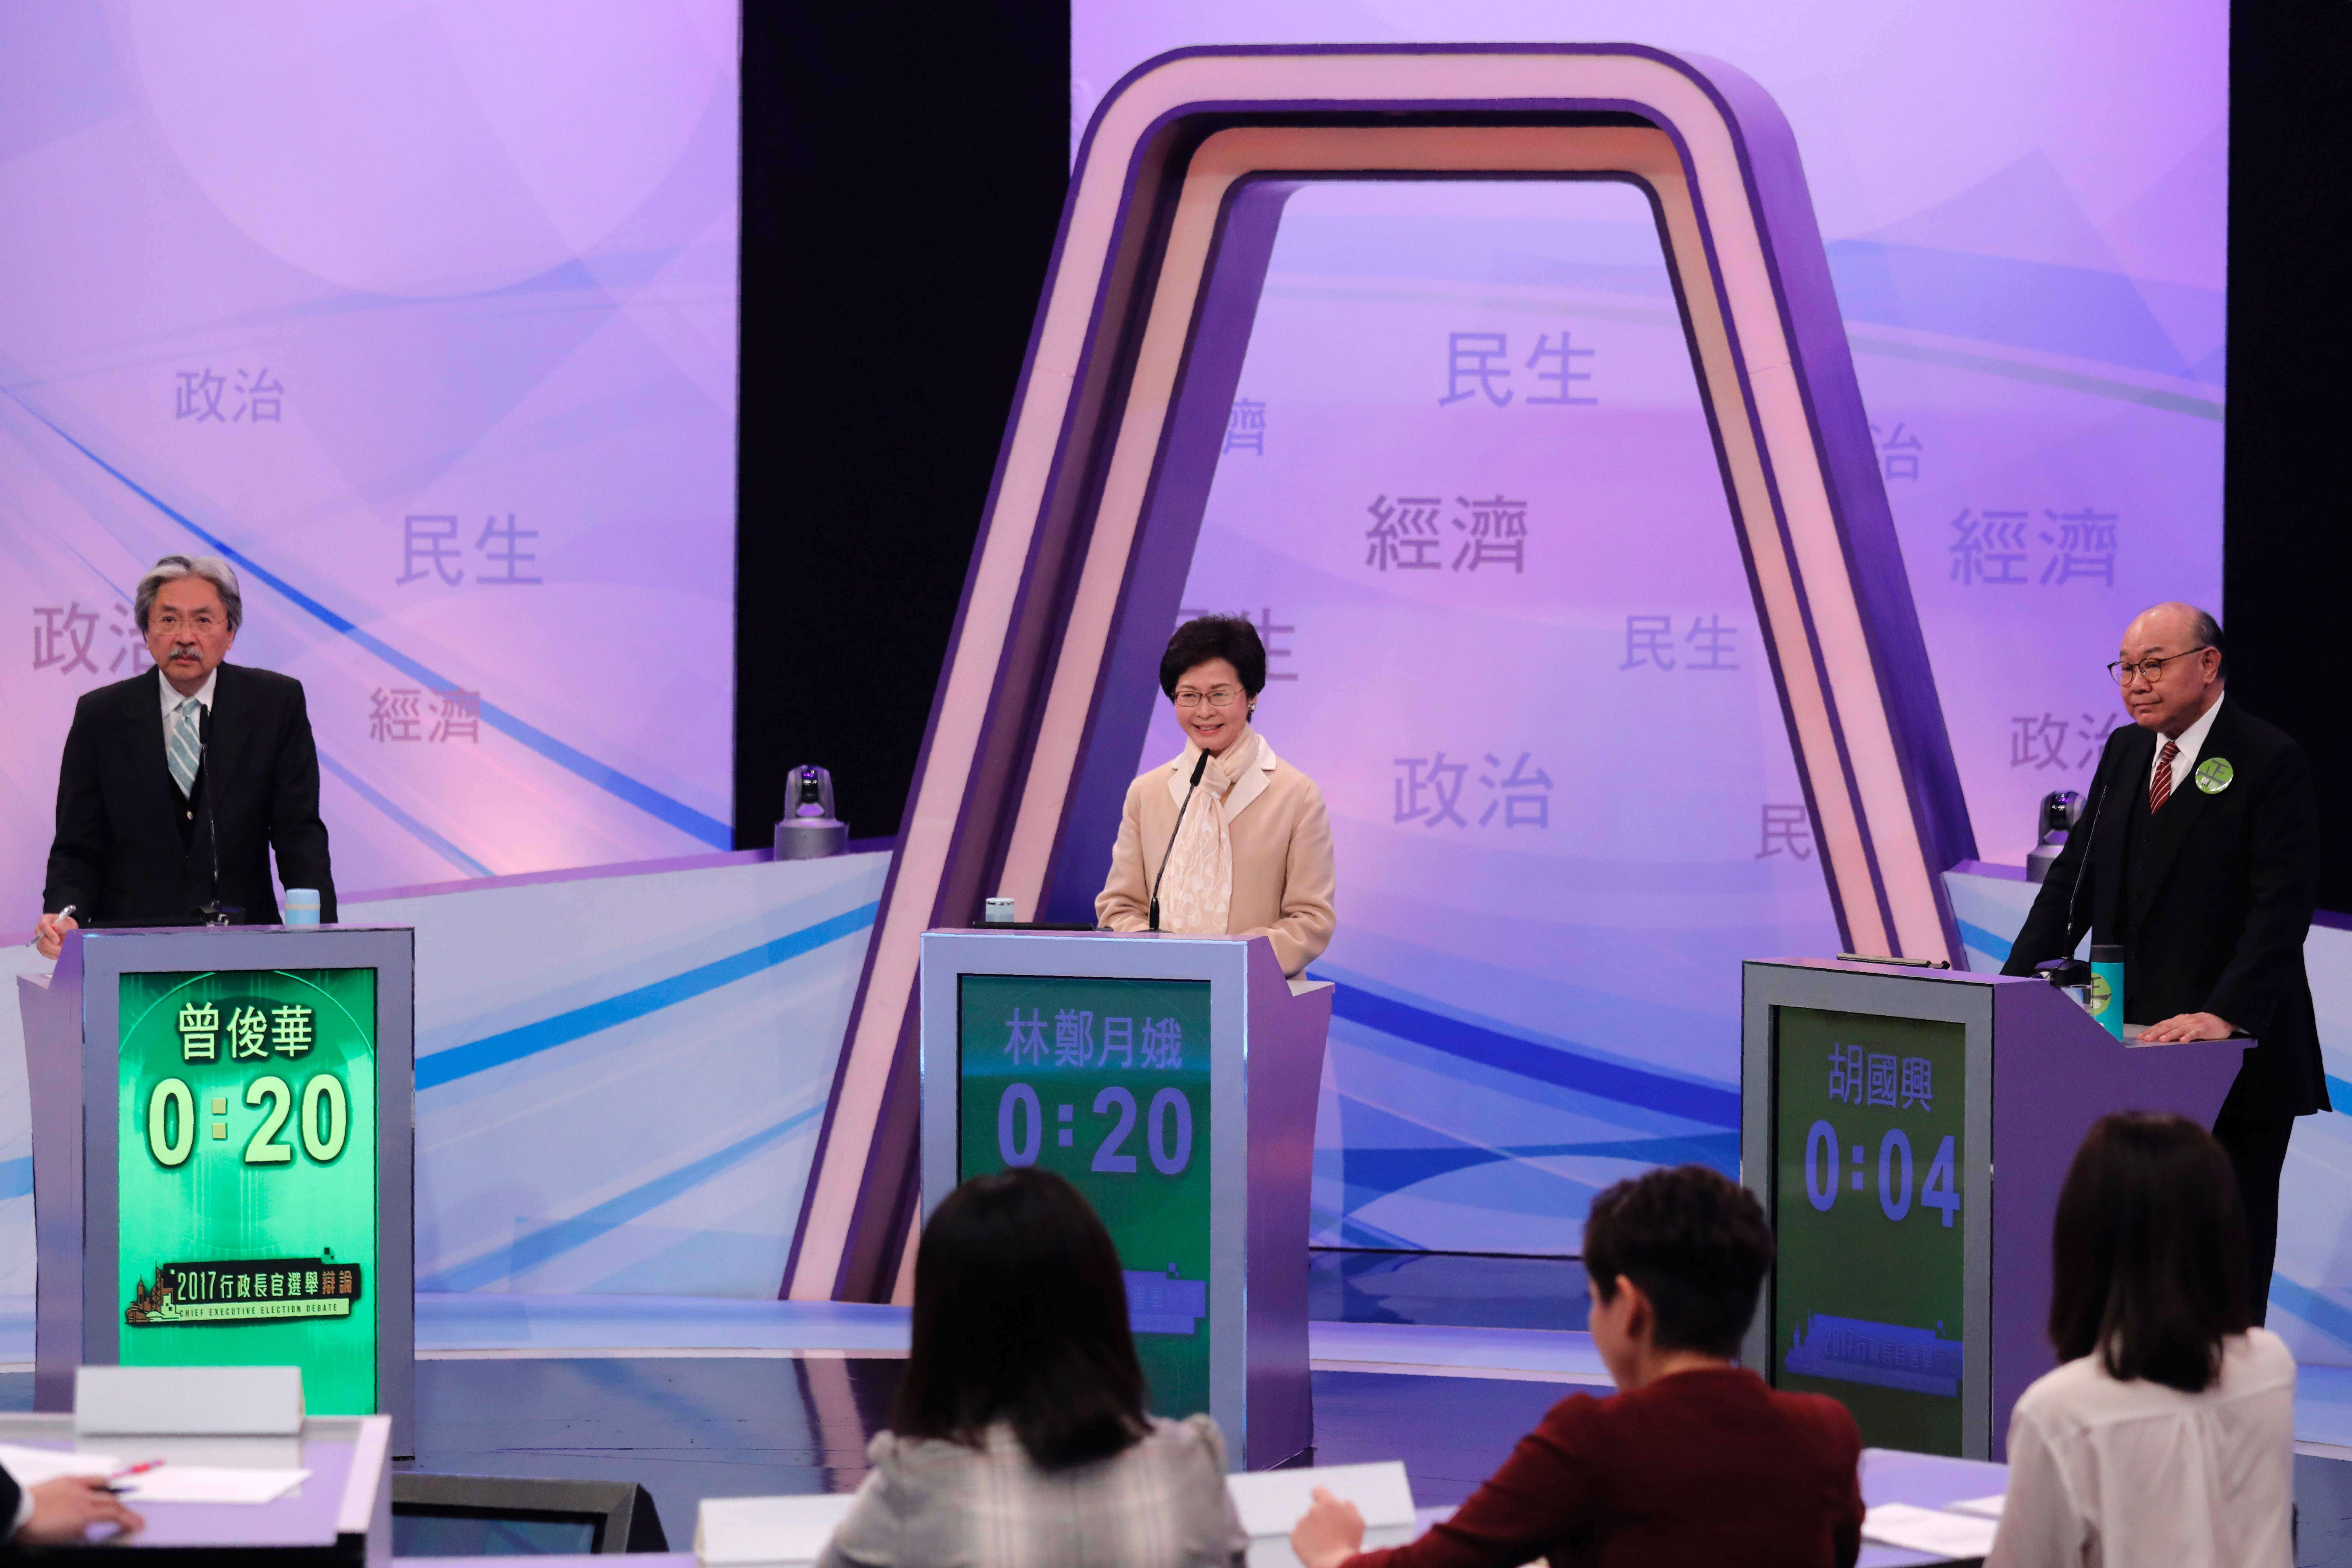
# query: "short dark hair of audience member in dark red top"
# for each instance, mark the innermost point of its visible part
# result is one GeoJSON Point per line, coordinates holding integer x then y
{"type": "Point", "coordinates": [1697, 1245]}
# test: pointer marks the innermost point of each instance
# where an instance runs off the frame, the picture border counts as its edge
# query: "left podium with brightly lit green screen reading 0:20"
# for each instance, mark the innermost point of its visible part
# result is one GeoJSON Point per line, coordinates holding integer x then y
{"type": "Point", "coordinates": [222, 1160]}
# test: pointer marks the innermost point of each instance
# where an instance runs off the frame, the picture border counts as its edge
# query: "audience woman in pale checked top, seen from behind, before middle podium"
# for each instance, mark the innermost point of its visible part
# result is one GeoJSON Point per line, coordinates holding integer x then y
{"type": "Point", "coordinates": [1020, 1433]}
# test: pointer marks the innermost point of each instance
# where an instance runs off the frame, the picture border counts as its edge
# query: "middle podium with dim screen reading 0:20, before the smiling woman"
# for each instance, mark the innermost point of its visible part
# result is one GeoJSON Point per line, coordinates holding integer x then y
{"type": "Point", "coordinates": [1175, 1083]}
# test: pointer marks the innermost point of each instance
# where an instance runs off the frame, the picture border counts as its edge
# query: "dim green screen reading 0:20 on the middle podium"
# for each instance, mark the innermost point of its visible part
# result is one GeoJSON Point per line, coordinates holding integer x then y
{"type": "Point", "coordinates": [1107, 1083]}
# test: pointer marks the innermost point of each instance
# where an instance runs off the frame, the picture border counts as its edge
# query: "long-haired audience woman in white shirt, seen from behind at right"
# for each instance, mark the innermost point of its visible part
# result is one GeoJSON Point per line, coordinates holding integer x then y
{"type": "Point", "coordinates": [2170, 1430]}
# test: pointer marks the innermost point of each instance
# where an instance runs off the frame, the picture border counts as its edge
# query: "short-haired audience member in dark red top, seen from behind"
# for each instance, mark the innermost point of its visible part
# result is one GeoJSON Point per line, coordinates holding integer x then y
{"type": "Point", "coordinates": [1695, 1461]}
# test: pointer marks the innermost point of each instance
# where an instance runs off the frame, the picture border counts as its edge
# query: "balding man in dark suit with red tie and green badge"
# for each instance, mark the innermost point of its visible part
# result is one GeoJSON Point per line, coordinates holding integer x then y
{"type": "Point", "coordinates": [2200, 859]}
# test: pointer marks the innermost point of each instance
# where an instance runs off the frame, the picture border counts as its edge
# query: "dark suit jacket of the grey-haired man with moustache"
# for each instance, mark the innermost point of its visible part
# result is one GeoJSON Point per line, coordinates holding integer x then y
{"type": "Point", "coordinates": [131, 847]}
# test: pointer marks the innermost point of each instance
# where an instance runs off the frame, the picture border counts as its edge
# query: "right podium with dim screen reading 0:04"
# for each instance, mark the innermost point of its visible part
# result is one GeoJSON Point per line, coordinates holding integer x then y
{"type": "Point", "coordinates": [1909, 1134]}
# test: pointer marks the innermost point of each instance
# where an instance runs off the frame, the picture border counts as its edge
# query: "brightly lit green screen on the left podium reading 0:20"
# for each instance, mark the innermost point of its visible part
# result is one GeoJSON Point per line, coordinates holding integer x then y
{"type": "Point", "coordinates": [248, 1177]}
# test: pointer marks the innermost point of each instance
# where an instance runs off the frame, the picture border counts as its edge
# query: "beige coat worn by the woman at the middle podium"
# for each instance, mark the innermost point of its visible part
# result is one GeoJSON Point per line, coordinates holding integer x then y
{"type": "Point", "coordinates": [1283, 871]}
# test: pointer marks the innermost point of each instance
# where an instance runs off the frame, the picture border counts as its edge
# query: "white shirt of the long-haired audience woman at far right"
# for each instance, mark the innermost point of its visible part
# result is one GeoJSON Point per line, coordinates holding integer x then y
{"type": "Point", "coordinates": [2109, 1473]}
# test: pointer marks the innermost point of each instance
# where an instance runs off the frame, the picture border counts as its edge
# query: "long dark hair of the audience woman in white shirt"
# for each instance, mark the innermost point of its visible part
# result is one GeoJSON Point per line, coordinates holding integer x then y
{"type": "Point", "coordinates": [2149, 1259]}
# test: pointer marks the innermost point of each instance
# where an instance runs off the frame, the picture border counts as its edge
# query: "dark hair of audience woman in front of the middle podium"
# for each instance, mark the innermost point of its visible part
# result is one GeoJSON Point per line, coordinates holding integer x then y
{"type": "Point", "coordinates": [1022, 1318]}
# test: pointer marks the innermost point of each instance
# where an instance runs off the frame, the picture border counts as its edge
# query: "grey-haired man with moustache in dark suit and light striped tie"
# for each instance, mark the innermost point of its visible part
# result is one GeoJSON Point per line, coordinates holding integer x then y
{"type": "Point", "coordinates": [180, 782]}
